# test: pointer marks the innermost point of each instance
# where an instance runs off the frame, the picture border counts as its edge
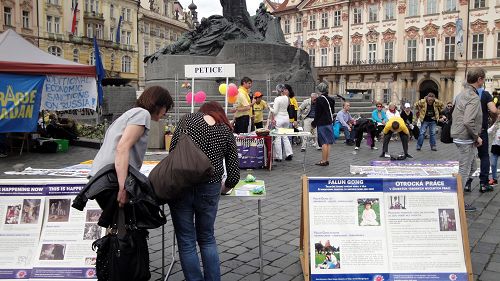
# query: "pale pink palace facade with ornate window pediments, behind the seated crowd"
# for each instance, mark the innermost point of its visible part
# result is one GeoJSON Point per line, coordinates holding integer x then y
{"type": "Point", "coordinates": [395, 50]}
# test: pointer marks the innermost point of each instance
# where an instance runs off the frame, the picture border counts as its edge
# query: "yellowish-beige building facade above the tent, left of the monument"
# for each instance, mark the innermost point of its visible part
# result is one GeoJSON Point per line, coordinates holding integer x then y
{"type": "Point", "coordinates": [145, 26]}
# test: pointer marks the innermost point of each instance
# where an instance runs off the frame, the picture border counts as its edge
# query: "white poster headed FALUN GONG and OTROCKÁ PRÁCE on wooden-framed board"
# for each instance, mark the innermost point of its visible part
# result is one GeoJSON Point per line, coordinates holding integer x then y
{"type": "Point", "coordinates": [385, 229]}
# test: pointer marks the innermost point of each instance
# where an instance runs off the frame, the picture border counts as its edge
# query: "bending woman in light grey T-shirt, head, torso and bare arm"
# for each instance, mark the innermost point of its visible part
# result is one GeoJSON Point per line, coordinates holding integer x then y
{"type": "Point", "coordinates": [126, 140]}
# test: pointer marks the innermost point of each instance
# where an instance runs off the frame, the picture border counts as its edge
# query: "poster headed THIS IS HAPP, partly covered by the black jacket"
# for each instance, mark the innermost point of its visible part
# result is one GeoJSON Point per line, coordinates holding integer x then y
{"type": "Point", "coordinates": [65, 247]}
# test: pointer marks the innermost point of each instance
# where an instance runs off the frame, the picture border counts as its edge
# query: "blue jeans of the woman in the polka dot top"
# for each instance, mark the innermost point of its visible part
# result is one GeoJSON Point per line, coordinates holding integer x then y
{"type": "Point", "coordinates": [193, 217]}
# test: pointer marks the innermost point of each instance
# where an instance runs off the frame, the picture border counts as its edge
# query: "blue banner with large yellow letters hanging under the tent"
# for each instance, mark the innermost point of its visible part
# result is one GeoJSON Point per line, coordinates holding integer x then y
{"type": "Point", "coordinates": [19, 102]}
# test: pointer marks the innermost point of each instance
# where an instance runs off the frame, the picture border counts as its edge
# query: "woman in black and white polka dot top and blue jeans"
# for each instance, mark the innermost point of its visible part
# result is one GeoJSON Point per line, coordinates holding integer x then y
{"type": "Point", "coordinates": [194, 214]}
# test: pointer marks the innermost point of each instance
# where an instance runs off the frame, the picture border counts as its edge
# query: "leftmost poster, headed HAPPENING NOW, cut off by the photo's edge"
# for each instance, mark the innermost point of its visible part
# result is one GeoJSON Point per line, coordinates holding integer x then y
{"type": "Point", "coordinates": [20, 225]}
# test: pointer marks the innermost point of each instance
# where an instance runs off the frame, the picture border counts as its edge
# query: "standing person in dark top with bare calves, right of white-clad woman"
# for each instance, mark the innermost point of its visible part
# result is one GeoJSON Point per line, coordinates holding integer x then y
{"type": "Point", "coordinates": [323, 119]}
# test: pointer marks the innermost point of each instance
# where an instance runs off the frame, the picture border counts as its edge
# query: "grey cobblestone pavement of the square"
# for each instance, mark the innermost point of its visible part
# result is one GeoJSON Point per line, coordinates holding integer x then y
{"type": "Point", "coordinates": [236, 227]}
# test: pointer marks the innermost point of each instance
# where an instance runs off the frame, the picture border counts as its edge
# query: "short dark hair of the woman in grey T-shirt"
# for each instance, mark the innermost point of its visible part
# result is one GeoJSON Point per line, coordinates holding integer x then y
{"type": "Point", "coordinates": [154, 98]}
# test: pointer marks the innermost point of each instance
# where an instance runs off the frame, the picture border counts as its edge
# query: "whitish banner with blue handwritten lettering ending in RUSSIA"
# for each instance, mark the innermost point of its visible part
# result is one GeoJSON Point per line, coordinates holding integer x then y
{"type": "Point", "coordinates": [69, 92]}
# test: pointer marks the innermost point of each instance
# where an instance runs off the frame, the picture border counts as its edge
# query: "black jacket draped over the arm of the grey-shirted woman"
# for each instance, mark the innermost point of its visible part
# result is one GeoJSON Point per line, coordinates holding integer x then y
{"type": "Point", "coordinates": [103, 187]}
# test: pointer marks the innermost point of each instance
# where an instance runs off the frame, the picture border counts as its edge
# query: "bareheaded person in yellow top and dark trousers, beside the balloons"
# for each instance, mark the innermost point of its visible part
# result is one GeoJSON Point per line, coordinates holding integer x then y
{"type": "Point", "coordinates": [243, 107]}
